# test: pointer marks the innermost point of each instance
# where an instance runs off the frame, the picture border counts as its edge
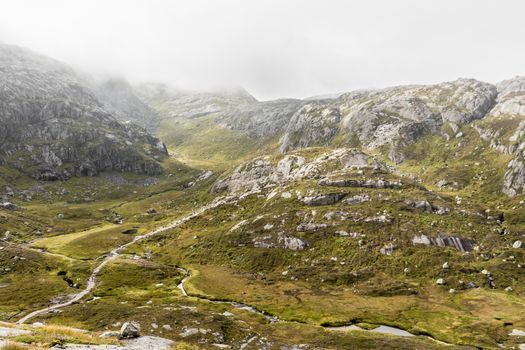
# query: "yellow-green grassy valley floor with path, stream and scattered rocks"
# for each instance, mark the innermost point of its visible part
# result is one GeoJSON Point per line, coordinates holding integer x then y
{"type": "Point", "coordinates": [209, 270]}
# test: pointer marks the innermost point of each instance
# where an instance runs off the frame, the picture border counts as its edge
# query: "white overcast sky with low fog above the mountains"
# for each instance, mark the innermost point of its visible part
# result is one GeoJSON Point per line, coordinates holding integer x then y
{"type": "Point", "coordinates": [276, 48]}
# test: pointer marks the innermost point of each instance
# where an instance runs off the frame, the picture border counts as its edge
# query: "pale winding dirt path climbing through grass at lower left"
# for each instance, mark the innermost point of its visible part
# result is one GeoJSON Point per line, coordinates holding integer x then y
{"type": "Point", "coordinates": [115, 253]}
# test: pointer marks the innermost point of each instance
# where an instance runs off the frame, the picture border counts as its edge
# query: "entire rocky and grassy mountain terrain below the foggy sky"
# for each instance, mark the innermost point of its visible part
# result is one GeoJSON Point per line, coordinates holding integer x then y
{"type": "Point", "coordinates": [389, 218]}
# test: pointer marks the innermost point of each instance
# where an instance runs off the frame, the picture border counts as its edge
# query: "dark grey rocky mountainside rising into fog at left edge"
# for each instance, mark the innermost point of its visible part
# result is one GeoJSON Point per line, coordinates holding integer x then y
{"type": "Point", "coordinates": [53, 127]}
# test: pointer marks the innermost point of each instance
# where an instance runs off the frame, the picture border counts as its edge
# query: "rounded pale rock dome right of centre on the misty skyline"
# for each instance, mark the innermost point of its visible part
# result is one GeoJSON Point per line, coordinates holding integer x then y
{"type": "Point", "coordinates": [388, 118]}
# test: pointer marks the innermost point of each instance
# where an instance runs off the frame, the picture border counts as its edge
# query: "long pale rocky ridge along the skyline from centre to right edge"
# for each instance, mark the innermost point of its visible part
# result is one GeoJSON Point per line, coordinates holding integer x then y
{"type": "Point", "coordinates": [390, 121]}
